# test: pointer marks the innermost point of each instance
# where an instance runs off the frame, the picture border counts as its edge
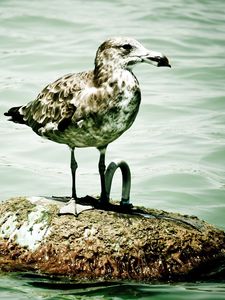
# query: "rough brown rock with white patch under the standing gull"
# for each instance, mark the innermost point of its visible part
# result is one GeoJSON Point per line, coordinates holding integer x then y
{"type": "Point", "coordinates": [105, 245]}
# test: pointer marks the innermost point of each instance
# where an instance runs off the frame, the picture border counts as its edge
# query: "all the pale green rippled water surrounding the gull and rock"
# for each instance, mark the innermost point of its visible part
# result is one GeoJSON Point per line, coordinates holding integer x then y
{"type": "Point", "coordinates": [176, 147]}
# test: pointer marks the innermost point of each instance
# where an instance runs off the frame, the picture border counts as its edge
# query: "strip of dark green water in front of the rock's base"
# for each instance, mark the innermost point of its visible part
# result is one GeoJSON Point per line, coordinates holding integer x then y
{"type": "Point", "coordinates": [33, 286]}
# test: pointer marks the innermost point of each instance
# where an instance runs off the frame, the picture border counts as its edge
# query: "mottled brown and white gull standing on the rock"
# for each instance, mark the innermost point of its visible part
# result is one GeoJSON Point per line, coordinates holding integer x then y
{"type": "Point", "coordinates": [91, 108]}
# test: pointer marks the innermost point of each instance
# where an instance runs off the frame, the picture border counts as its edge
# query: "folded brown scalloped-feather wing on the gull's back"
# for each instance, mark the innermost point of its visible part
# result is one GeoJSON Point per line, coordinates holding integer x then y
{"type": "Point", "coordinates": [56, 104]}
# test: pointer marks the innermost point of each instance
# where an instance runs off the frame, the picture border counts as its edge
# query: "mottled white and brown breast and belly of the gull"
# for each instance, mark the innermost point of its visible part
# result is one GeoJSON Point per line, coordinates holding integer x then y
{"type": "Point", "coordinates": [102, 113]}
